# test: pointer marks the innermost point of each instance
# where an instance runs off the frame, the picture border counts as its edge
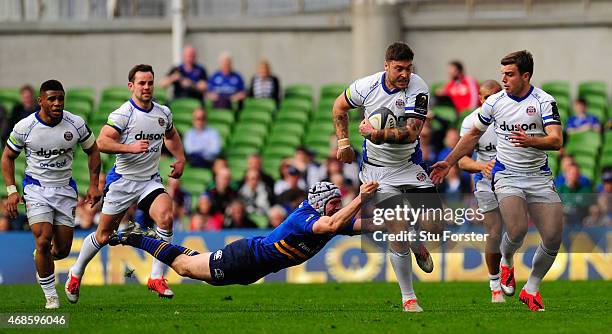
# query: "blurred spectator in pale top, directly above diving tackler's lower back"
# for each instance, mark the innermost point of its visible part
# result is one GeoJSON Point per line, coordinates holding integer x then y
{"type": "Point", "coordinates": [256, 196]}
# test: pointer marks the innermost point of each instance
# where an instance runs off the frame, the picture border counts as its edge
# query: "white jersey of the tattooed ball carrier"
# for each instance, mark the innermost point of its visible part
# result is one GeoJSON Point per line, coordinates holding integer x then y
{"type": "Point", "coordinates": [371, 93]}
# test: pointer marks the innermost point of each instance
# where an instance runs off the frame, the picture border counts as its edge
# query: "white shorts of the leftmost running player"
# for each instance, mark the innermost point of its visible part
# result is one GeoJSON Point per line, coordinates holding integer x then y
{"type": "Point", "coordinates": [55, 205]}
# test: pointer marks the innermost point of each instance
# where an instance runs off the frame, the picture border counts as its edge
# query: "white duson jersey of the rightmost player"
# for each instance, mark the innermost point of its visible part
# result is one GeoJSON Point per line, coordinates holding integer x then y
{"type": "Point", "coordinates": [532, 114]}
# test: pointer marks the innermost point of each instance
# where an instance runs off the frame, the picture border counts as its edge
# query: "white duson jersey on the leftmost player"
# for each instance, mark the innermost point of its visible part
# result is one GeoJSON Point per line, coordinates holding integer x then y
{"type": "Point", "coordinates": [49, 150]}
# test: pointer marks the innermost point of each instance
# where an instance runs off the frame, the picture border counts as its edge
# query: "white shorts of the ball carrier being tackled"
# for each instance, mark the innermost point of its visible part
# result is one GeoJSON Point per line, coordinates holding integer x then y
{"type": "Point", "coordinates": [395, 180]}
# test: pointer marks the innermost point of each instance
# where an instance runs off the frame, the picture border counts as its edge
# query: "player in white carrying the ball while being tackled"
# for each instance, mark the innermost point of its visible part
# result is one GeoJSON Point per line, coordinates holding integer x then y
{"type": "Point", "coordinates": [391, 157]}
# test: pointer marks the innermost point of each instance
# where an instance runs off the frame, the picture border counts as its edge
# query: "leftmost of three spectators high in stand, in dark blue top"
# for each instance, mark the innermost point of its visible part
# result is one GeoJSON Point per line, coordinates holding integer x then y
{"type": "Point", "coordinates": [189, 78]}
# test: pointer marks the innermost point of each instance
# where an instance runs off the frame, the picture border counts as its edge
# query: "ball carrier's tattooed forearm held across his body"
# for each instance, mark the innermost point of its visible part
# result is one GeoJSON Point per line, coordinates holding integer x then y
{"type": "Point", "coordinates": [402, 135]}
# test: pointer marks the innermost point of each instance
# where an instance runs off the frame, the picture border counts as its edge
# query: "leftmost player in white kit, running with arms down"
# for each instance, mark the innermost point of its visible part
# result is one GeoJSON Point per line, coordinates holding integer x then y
{"type": "Point", "coordinates": [49, 138]}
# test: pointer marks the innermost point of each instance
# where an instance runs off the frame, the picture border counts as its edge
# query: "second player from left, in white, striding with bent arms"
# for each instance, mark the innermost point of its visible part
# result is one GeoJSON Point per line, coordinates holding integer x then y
{"type": "Point", "coordinates": [135, 133]}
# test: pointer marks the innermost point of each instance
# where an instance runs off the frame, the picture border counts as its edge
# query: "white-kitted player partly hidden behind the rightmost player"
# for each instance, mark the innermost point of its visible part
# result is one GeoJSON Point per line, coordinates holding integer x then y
{"type": "Point", "coordinates": [487, 202]}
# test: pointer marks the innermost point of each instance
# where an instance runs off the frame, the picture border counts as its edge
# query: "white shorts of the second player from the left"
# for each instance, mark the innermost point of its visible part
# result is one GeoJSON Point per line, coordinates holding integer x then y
{"type": "Point", "coordinates": [121, 193]}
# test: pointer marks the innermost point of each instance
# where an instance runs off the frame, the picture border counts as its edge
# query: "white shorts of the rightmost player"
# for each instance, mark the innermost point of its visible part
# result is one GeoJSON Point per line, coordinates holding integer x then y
{"type": "Point", "coordinates": [536, 187]}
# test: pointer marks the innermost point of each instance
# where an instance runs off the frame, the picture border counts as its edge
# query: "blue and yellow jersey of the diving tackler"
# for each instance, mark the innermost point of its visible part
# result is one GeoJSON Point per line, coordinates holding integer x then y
{"type": "Point", "coordinates": [292, 242]}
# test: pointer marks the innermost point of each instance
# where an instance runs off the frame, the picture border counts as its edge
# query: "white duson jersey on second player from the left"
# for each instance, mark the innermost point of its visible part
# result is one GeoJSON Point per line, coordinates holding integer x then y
{"type": "Point", "coordinates": [134, 124]}
